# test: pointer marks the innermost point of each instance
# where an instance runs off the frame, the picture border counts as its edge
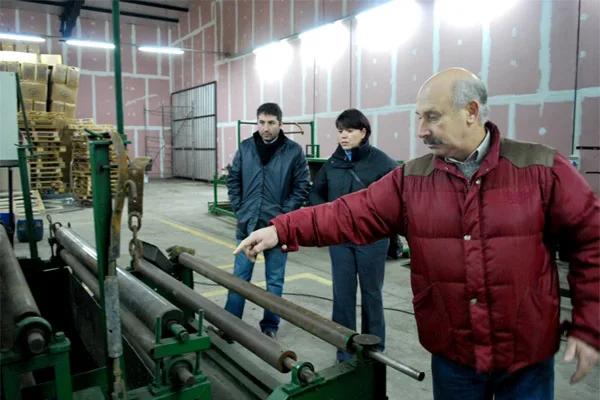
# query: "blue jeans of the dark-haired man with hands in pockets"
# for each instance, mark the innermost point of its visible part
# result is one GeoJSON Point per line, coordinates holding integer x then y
{"type": "Point", "coordinates": [275, 262]}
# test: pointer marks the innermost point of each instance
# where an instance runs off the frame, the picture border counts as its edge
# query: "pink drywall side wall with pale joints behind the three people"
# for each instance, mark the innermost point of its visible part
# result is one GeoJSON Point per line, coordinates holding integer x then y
{"type": "Point", "coordinates": [526, 56]}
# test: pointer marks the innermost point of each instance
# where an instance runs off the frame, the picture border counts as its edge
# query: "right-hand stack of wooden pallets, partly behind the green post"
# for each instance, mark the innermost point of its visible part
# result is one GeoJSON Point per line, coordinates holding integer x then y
{"type": "Point", "coordinates": [80, 156]}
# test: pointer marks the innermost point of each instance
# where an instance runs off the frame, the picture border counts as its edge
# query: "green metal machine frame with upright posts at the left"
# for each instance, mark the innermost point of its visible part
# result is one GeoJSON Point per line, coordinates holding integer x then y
{"type": "Point", "coordinates": [107, 381]}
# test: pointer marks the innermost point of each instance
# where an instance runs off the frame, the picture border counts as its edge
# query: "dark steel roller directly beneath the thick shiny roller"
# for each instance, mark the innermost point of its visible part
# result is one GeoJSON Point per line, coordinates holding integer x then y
{"type": "Point", "coordinates": [134, 330]}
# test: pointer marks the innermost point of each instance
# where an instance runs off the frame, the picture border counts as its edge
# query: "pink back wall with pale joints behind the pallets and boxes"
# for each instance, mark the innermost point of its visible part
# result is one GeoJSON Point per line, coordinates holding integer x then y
{"type": "Point", "coordinates": [146, 77]}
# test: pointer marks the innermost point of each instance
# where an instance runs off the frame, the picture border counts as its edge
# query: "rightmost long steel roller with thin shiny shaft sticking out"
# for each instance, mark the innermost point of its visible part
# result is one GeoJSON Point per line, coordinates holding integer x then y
{"type": "Point", "coordinates": [325, 329]}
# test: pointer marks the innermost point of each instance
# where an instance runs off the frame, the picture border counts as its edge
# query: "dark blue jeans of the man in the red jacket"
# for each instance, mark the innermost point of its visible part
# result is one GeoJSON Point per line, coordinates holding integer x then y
{"type": "Point", "coordinates": [453, 381]}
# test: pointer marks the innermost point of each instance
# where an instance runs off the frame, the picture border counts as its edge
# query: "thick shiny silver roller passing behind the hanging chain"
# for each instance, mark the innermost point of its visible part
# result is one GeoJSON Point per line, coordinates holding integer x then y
{"type": "Point", "coordinates": [137, 297]}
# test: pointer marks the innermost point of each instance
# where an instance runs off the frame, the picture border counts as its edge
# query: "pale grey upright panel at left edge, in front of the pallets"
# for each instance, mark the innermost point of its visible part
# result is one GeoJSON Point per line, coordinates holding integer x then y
{"type": "Point", "coordinates": [9, 134]}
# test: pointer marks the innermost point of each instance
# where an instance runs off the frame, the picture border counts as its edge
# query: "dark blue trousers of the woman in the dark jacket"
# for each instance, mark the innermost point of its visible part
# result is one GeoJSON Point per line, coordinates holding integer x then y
{"type": "Point", "coordinates": [368, 263]}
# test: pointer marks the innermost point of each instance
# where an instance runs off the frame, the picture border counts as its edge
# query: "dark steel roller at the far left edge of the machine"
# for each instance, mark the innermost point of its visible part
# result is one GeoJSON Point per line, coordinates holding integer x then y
{"type": "Point", "coordinates": [17, 296]}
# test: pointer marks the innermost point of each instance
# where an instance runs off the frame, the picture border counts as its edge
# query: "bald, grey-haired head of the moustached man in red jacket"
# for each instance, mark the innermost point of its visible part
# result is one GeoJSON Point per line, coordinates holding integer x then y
{"type": "Point", "coordinates": [452, 106]}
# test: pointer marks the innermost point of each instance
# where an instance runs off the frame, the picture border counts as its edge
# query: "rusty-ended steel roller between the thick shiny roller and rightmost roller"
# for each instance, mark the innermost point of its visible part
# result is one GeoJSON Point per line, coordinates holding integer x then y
{"type": "Point", "coordinates": [263, 346]}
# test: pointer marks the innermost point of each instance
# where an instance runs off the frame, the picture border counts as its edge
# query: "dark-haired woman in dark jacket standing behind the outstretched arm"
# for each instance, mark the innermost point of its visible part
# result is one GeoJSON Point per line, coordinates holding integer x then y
{"type": "Point", "coordinates": [353, 166]}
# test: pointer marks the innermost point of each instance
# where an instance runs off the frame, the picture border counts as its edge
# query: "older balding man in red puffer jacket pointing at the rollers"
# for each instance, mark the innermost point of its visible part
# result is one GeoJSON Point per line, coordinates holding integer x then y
{"type": "Point", "coordinates": [483, 216]}
